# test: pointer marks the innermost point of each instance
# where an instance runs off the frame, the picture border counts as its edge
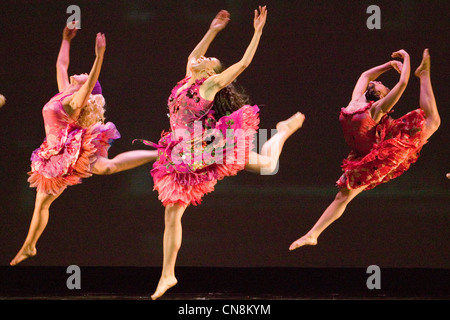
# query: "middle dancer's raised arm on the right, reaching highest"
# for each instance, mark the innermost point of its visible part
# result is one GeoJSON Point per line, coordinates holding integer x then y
{"type": "Point", "coordinates": [221, 80]}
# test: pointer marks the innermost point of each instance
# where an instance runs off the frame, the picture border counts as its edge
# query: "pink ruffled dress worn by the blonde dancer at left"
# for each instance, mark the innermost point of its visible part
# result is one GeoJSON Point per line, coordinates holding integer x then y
{"type": "Point", "coordinates": [68, 151]}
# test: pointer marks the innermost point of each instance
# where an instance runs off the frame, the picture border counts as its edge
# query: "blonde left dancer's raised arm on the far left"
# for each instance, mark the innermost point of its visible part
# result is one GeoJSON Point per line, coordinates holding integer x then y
{"type": "Point", "coordinates": [63, 60]}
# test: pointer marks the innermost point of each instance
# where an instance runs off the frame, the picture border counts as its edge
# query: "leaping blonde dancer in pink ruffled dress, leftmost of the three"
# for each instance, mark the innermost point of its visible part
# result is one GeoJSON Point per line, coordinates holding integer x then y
{"type": "Point", "coordinates": [77, 141]}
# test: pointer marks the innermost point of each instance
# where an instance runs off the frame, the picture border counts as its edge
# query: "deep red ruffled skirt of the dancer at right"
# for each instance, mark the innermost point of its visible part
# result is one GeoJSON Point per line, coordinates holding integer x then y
{"type": "Point", "coordinates": [398, 146]}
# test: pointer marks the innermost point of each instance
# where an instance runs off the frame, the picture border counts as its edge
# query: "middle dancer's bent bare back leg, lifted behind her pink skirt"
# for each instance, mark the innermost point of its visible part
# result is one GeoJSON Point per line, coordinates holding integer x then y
{"type": "Point", "coordinates": [267, 161]}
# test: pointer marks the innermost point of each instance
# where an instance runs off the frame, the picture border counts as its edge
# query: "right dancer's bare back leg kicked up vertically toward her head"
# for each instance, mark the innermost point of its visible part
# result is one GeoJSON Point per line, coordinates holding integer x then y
{"type": "Point", "coordinates": [427, 100]}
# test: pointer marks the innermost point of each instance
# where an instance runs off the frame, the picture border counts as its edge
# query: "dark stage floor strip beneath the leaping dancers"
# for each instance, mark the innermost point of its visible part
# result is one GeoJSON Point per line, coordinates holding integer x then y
{"type": "Point", "coordinates": [202, 283]}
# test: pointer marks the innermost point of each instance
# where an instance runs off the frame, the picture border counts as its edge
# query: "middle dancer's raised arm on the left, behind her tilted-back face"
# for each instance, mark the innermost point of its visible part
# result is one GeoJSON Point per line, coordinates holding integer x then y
{"type": "Point", "coordinates": [217, 25]}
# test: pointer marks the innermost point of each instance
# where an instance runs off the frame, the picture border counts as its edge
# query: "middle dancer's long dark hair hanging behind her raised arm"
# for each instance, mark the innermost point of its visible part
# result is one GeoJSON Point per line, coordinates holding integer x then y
{"type": "Point", "coordinates": [229, 99]}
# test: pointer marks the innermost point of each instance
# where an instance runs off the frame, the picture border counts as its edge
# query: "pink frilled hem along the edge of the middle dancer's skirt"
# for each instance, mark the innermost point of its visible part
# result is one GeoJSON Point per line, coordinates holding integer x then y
{"type": "Point", "coordinates": [185, 188]}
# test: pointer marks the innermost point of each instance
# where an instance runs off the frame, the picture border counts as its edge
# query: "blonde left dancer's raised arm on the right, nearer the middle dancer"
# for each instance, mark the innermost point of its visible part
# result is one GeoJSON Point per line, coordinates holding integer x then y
{"type": "Point", "coordinates": [81, 96]}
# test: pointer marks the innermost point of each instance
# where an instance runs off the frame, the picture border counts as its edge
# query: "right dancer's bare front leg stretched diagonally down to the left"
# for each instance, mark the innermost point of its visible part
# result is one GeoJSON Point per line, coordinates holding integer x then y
{"type": "Point", "coordinates": [331, 214]}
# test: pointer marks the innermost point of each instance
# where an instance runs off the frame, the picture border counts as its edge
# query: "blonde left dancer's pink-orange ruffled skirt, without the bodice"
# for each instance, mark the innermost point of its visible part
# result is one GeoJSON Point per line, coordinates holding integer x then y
{"type": "Point", "coordinates": [65, 164]}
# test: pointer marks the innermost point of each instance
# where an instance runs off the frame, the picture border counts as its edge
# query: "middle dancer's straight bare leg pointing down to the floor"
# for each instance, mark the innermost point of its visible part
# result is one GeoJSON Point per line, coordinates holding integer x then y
{"type": "Point", "coordinates": [171, 246]}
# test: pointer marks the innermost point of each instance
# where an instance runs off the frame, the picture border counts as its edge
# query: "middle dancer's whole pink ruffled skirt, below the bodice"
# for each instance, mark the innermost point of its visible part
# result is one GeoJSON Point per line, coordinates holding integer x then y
{"type": "Point", "coordinates": [185, 177]}
